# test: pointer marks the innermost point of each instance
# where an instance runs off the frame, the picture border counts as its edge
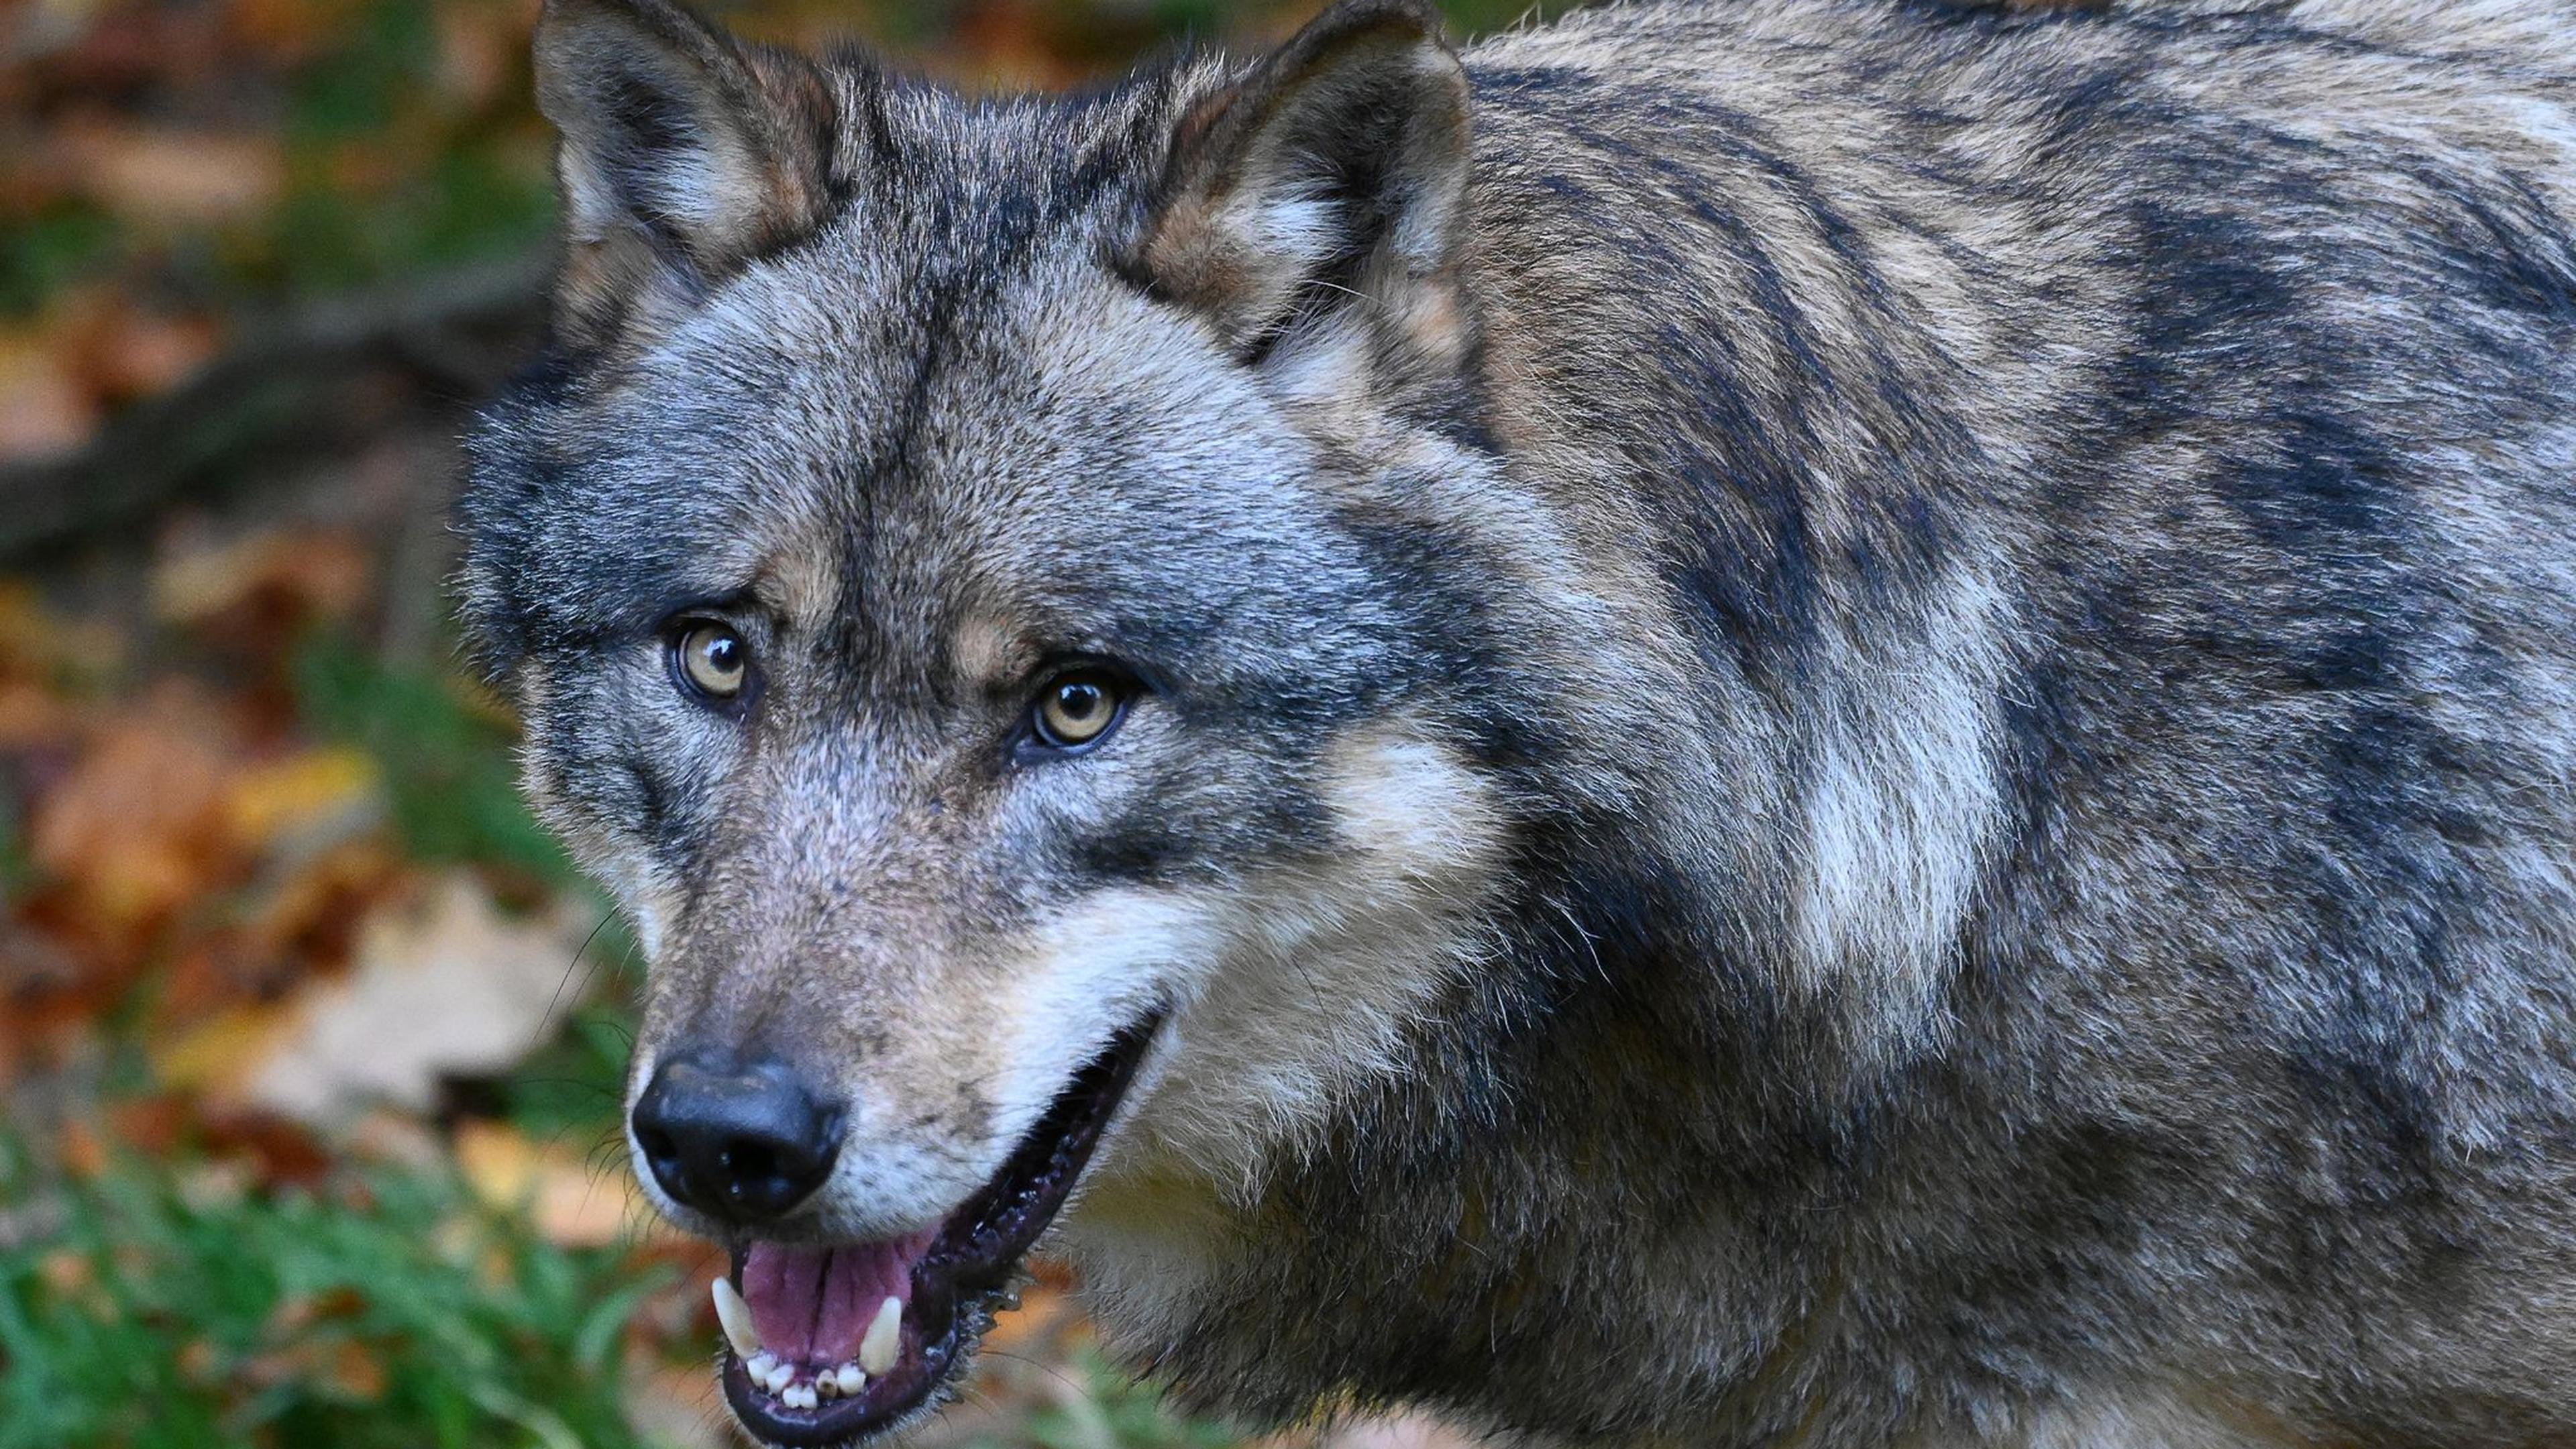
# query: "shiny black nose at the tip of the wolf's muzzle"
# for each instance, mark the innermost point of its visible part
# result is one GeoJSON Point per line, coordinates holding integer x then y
{"type": "Point", "coordinates": [735, 1141]}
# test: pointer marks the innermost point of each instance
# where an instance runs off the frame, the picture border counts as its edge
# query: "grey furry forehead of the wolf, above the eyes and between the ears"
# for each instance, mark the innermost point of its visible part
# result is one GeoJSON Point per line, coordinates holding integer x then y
{"type": "Point", "coordinates": [947, 393]}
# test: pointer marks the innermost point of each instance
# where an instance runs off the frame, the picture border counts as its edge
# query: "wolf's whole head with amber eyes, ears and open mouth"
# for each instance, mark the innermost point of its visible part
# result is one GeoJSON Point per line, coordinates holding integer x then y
{"type": "Point", "coordinates": [1011, 597]}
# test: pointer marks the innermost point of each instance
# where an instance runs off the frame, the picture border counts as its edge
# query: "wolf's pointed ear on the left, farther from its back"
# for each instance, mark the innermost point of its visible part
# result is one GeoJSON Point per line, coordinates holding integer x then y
{"type": "Point", "coordinates": [681, 159]}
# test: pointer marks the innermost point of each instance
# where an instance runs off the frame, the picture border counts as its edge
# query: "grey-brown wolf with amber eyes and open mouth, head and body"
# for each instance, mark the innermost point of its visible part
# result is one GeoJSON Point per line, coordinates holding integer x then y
{"type": "Point", "coordinates": [1828, 723]}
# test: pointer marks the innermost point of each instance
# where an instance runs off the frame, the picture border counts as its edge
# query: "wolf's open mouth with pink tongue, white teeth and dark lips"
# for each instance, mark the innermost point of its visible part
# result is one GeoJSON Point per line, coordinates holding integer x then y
{"type": "Point", "coordinates": [836, 1345]}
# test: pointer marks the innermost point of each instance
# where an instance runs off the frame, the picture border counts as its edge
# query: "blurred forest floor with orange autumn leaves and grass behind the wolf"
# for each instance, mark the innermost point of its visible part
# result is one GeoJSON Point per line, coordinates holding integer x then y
{"type": "Point", "coordinates": [310, 1038]}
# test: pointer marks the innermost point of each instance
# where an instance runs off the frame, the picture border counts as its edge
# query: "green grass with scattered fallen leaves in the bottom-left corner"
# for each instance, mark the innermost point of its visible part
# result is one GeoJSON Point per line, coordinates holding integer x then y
{"type": "Point", "coordinates": [383, 1314]}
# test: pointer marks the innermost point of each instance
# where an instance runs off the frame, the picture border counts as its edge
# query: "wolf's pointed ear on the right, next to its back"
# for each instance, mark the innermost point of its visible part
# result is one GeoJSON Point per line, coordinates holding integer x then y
{"type": "Point", "coordinates": [1333, 177]}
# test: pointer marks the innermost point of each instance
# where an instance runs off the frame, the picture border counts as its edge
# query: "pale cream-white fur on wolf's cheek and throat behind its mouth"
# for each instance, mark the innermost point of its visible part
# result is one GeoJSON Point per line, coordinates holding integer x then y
{"type": "Point", "coordinates": [1300, 991]}
